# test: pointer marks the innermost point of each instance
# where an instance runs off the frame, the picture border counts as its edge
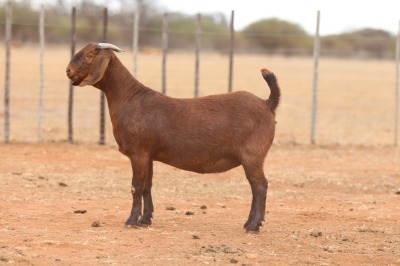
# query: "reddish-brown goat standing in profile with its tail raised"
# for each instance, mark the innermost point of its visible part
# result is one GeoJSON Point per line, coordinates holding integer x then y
{"type": "Point", "coordinates": [205, 135]}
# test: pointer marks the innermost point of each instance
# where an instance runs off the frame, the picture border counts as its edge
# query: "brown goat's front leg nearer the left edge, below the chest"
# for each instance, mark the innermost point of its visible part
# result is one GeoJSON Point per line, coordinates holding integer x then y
{"type": "Point", "coordinates": [140, 172]}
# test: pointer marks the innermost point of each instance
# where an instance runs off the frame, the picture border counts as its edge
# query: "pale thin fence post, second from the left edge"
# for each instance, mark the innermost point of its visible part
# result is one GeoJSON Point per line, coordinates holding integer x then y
{"type": "Point", "coordinates": [42, 43]}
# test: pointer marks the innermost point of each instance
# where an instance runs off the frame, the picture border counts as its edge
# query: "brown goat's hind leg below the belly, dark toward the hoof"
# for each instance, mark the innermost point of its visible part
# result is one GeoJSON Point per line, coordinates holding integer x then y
{"type": "Point", "coordinates": [259, 187]}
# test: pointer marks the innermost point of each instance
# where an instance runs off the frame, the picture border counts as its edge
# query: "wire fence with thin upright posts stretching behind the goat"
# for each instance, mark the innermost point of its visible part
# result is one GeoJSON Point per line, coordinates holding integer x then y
{"type": "Point", "coordinates": [356, 103]}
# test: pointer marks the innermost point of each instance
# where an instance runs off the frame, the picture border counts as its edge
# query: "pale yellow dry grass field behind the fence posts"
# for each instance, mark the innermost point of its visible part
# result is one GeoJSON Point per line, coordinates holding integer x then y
{"type": "Point", "coordinates": [356, 97]}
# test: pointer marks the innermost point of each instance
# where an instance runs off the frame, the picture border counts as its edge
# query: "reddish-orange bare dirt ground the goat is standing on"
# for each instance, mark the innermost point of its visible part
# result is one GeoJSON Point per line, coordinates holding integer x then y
{"type": "Point", "coordinates": [64, 204]}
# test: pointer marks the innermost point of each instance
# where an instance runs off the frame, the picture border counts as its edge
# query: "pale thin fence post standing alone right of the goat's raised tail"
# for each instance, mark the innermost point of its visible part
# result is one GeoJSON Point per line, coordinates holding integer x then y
{"type": "Point", "coordinates": [315, 81]}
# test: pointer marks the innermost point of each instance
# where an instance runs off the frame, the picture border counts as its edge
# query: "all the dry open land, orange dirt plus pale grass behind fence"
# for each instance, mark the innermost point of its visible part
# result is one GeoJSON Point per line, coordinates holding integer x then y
{"type": "Point", "coordinates": [335, 203]}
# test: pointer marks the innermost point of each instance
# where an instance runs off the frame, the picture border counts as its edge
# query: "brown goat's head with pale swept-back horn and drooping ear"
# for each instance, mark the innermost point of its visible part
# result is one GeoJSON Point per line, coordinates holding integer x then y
{"type": "Point", "coordinates": [88, 66]}
